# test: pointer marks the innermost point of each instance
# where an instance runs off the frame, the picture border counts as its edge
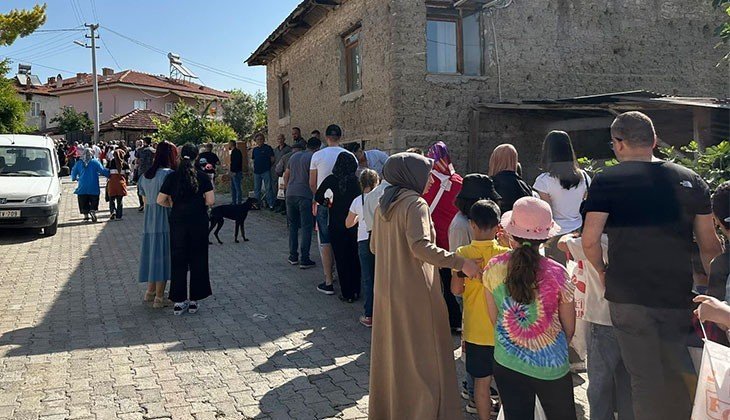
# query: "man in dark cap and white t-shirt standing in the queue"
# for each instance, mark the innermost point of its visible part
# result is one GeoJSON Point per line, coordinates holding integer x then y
{"type": "Point", "coordinates": [320, 168]}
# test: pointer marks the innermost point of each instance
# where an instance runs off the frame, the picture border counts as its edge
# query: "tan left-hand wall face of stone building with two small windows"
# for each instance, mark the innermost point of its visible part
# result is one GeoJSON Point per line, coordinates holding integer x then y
{"type": "Point", "coordinates": [316, 76]}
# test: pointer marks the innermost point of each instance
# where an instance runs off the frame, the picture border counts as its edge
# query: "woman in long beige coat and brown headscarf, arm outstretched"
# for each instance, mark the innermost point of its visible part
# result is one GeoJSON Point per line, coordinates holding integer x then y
{"type": "Point", "coordinates": [412, 373]}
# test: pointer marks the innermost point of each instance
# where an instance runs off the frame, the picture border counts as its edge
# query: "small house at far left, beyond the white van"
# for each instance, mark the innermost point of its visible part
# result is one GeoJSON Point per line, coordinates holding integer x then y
{"type": "Point", "coordinates": [42, 104]}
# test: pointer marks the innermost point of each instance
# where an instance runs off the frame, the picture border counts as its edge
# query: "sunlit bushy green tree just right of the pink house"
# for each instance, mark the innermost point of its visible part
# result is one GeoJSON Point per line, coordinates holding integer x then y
{"type": "Point", "coordinates": [187, 125]}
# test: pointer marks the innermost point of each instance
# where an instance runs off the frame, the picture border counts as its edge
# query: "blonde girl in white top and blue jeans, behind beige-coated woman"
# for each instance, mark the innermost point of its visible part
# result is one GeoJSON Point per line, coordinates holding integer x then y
{"type": "Point", "coordinates": [368, 181]}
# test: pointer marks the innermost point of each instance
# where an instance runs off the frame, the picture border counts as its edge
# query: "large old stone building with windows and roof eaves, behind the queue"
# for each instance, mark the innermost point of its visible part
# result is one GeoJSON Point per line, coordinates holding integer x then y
{"type": "Point", "coordinates": [404, 73]}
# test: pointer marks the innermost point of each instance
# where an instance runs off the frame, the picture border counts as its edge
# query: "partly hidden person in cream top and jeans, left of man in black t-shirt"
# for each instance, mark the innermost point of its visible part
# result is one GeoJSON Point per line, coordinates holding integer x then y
{"type": "Point", "coordinates": [609, 384]}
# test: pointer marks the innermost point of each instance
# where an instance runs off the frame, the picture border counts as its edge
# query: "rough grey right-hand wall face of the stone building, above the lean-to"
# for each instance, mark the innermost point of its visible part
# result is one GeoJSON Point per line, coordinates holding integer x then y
{"type": "Point", "coordinates": [553, 49]}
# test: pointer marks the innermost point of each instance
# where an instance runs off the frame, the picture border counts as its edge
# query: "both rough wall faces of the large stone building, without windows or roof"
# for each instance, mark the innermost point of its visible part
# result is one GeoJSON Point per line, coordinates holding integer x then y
{"type": "Point", "coordinates": [546, 49]}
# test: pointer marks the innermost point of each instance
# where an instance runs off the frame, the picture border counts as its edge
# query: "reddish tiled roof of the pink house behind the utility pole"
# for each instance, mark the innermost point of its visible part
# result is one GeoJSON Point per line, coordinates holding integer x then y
{"type": "Point", "coordinates": [139, 79]}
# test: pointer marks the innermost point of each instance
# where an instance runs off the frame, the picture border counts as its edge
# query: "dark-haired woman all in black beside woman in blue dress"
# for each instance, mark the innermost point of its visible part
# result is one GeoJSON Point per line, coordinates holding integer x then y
{"type": "Point", "coordinates": [189, 193]}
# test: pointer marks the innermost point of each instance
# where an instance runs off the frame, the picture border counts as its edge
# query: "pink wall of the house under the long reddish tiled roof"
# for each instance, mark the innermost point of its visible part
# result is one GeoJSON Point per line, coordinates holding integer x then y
{"type": "Point", "coordinates": [120, 100]}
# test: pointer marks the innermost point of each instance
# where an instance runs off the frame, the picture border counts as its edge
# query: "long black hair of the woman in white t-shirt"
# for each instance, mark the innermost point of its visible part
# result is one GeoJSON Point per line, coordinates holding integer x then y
{"type": "Point", "coordinates": [558, 159]}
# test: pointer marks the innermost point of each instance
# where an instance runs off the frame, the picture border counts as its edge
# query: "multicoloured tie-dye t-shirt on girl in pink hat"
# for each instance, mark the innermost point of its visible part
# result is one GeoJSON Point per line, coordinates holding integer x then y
{"type": "Point", "coordinates": [529, 338]}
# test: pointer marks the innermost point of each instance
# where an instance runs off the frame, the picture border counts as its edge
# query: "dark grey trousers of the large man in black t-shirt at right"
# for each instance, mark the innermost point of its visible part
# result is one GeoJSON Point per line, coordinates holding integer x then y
{"type": "Point", "coordinates": [654, 351]}
